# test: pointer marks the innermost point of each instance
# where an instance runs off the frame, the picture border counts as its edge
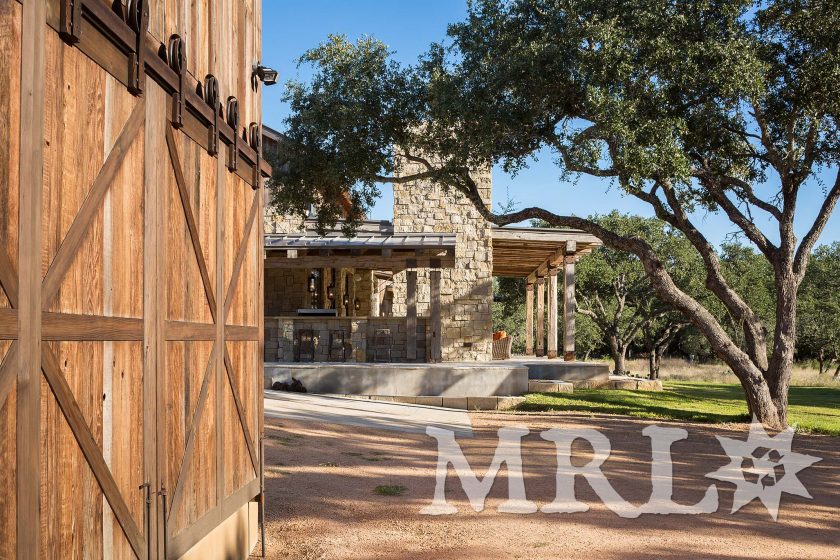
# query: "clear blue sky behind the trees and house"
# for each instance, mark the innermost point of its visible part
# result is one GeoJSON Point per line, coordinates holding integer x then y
{"type": "Point", "coordinates": [408, 27]}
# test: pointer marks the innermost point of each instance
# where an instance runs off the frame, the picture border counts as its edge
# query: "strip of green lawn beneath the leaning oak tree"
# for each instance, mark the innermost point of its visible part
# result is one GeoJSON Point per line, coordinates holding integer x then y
{"type": "Point", "coordinates": [813, 409]}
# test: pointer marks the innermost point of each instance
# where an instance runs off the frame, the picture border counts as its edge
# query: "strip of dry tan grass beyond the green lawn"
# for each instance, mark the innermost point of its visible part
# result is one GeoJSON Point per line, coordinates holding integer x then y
{"type": "Point", "coordinates": [681, 370]}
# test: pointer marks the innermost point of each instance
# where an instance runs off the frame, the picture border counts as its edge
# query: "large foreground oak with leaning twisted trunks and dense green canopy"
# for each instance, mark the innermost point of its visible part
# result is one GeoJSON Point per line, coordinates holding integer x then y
{"type": "Point", "coordinates": [726, 106]}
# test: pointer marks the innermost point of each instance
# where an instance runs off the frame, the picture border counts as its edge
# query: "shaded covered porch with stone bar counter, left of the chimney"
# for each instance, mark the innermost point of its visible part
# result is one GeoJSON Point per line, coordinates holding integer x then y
{"type": "Point", "coordinates": [333, 306]}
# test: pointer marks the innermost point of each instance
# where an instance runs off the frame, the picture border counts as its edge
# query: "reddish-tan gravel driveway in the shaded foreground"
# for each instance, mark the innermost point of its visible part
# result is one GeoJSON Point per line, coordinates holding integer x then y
{"type": "Point", "coordinates": [322, 505]}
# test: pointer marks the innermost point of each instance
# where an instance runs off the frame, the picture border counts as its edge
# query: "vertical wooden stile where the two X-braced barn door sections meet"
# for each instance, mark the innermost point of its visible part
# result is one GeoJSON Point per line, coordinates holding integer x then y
{"type": "Point", "coordinates": [153, 302]}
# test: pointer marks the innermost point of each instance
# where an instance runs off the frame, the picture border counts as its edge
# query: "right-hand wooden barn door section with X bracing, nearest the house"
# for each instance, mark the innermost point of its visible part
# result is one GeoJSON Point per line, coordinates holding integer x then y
{"type": "Point", "coordinates": [208, 458]}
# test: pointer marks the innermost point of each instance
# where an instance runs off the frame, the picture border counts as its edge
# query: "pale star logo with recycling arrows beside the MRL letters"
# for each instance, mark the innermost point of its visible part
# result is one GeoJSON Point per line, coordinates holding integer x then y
{"type": "Point", "coordinates": [763, 467]}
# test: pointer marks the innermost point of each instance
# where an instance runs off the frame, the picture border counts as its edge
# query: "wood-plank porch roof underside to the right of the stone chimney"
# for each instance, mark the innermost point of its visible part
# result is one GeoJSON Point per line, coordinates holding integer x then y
{"type": "Point", "coordinates": [524, 252]}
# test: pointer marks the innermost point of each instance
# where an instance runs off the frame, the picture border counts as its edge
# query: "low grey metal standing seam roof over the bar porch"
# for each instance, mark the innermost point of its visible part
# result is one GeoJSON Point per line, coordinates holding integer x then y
{"type": "Point", "coordinates": [361, 241]}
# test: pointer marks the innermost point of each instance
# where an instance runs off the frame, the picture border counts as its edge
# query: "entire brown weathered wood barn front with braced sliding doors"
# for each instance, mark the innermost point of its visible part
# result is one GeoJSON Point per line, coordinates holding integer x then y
{"type": "Point", "coordinates": [130, 286]}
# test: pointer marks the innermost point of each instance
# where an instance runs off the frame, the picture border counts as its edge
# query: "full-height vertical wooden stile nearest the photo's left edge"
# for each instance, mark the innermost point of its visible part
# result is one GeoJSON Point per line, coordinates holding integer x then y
{"type": "Point", "coordinates": [29, 315]}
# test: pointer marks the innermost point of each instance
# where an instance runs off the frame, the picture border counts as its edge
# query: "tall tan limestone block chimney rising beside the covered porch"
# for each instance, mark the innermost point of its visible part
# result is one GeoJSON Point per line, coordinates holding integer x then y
{"type": "Point", "coordinates": [467, 289]}
